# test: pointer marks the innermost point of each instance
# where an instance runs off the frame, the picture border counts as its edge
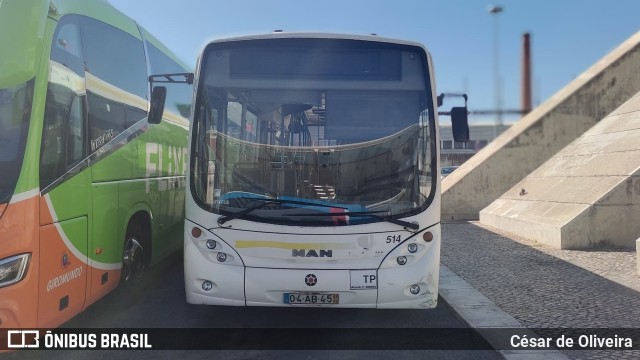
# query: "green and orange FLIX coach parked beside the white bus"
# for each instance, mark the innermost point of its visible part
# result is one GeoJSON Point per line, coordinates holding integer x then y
{"type": "Point", "coordinates": [90, 192]}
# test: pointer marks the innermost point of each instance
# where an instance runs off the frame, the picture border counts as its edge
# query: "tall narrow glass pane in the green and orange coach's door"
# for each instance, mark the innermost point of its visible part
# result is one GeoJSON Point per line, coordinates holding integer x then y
{"type": "Point", "coordinates": [63, 136]}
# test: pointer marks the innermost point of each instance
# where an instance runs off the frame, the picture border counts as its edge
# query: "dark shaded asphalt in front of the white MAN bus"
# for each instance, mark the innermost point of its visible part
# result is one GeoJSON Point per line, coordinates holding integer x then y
{"type": "Point", "coordinates": [158, 301]}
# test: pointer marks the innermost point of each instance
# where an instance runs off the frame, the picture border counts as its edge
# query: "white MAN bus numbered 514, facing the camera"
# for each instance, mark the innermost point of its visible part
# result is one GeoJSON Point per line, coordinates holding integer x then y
{"type": "Point", "coordinates": [314, 173]}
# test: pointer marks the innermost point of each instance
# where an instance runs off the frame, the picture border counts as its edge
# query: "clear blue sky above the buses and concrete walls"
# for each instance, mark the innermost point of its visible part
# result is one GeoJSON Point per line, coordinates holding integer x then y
{"type": "Point", "coordinates": [567, 36]}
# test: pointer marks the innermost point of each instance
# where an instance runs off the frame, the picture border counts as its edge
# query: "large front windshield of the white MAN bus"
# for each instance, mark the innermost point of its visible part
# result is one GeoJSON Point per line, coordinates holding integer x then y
{"type": "Point", "coordinates": [326, 126]}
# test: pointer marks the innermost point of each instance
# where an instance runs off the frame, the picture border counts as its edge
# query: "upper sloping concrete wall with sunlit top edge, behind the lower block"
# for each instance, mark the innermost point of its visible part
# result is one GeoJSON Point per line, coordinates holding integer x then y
{"type": "Point", "coordinates": [542, 133]}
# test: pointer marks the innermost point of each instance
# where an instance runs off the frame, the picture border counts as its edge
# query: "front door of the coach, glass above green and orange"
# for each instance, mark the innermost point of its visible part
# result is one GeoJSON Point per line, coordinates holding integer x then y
{"type": "Point", "coordinates": [64, 182]}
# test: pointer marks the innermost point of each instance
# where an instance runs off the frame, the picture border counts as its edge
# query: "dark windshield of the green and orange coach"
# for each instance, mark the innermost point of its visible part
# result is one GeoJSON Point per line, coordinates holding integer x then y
{"type": "Point", "coordinates": [15, 107]}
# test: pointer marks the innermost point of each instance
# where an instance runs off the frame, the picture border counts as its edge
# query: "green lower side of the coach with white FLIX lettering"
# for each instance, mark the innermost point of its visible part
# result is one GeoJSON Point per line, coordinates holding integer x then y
{"type": "Point", "coordinates": [145, 175]}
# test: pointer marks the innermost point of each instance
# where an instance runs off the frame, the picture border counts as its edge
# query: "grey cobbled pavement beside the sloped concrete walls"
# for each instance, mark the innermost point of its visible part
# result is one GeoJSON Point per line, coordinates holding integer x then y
{"type": "Point", "coordinates": [542, 287]}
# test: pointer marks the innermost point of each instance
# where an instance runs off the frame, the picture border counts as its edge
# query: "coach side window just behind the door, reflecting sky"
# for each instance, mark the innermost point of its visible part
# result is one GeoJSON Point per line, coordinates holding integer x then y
{"type": "Point", "coordinates": [117, 86]}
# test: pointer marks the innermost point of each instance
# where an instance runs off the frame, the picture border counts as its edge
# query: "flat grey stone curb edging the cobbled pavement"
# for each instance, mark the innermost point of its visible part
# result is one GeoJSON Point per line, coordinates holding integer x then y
{"type": "Point", "coordinates": [479, 312]}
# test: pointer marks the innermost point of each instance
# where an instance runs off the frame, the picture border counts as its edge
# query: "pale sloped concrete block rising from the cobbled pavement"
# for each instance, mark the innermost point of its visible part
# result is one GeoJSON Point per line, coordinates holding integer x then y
{"type": "Point", "coordinates": [587, 195]}
